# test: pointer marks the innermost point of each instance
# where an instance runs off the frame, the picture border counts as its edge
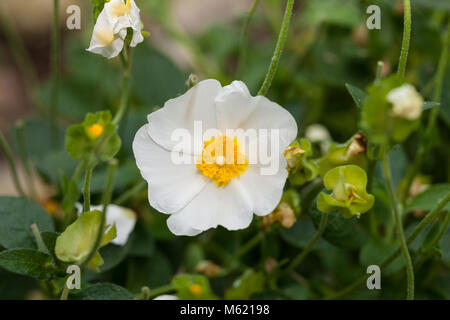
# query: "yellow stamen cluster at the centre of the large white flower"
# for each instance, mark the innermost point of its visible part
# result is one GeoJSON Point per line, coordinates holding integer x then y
{"type": "Point", "coordinates": [222, 160]}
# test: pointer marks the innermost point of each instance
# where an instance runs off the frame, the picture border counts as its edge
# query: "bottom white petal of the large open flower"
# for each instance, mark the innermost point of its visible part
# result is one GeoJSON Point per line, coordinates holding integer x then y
{"type": "Point", "coordinates": [227, 206]}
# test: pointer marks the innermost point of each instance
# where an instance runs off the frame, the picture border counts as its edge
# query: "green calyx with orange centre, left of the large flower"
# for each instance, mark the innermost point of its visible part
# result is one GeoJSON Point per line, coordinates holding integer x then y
{"type": "Point", "coordinates": [95, 136]}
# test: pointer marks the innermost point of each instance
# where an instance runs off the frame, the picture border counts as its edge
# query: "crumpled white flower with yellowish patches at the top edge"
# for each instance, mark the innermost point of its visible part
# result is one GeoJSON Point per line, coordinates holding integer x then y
{"type": "Point", "coordinates": [111, 28]}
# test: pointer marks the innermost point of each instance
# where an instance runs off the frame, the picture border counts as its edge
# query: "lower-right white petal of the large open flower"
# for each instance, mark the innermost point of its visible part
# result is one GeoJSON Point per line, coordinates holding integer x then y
{"type": "Point", "coordinates": [264, 191]}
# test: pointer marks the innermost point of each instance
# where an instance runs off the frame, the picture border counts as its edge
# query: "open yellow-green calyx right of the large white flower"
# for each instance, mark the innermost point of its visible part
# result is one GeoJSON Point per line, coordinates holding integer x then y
{"type": "Point", "coordinates": [349, 195]}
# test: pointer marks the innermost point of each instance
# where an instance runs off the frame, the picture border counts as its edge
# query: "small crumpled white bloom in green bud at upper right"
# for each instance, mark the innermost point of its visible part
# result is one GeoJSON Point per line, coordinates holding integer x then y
{"type": "Point", "coordinates": [407, 102]}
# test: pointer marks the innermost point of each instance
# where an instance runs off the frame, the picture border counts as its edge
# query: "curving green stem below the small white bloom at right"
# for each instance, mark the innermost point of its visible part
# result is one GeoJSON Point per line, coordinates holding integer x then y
{"type": "Point", "coordinates": [398, 221]}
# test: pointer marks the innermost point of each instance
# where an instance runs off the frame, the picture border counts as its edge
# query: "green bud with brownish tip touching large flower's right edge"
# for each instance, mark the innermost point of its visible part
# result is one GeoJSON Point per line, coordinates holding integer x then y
{"type": "Point", "coordinates": [301, 169]}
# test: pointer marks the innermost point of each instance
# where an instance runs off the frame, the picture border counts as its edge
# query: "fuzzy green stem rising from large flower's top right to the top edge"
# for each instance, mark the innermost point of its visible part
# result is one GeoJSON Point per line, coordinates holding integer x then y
{"type": "Point", "coordinates": [278, 49]}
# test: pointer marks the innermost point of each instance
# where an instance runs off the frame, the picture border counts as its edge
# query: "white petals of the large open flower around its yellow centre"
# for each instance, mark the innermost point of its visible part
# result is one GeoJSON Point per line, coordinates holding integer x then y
{"type": "Point", "coordinates": [194, 202]}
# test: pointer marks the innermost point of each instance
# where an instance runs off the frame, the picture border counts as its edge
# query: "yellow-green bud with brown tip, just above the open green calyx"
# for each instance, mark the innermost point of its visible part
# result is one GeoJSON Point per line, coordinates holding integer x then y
{"type": "Point", "coordinates": [351, 152]}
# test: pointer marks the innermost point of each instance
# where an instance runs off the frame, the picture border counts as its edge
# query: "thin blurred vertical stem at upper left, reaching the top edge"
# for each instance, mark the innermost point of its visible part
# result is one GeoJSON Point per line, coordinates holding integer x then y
{"type": "Point", "coordinates": [55, 75]}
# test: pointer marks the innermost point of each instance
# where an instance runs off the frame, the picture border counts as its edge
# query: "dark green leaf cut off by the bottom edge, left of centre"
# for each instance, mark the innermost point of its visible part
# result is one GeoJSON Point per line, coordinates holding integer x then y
{"type": "Point", "coordinates": [103, 291]}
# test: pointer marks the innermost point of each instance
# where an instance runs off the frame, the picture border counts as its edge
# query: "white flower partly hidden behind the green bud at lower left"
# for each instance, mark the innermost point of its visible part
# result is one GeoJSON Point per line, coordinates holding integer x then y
{"type": "Point", "coordinates": [124, 218]}
